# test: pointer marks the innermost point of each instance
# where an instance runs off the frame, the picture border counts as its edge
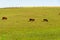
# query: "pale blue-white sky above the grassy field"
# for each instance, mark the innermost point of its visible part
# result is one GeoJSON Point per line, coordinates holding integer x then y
{"type": "Point", "coordinates": [26, 3]}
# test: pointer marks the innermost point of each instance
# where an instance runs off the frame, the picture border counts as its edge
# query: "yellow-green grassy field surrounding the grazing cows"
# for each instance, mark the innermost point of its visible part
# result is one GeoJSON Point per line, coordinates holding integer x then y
{"type": "Point", "coordinates": [17, 27]}
